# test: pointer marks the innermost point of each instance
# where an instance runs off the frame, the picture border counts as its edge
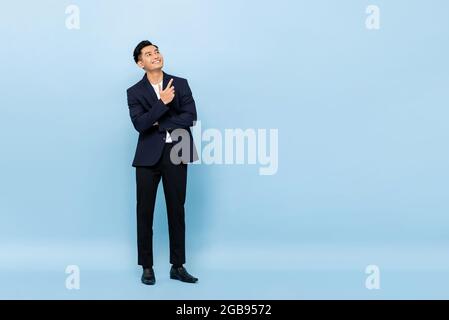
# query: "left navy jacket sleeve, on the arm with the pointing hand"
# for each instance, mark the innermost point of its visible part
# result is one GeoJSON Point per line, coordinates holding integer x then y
{"type": "Point", "coordinates": [142, 118]}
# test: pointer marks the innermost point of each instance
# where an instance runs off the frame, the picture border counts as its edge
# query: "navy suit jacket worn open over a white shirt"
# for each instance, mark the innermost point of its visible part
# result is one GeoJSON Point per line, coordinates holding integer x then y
{"type": "Point", "coordinates": [145, 109]}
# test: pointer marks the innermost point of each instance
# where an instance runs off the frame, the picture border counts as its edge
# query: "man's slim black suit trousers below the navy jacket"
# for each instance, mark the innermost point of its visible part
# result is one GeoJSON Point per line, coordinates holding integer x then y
{"type": "Point", "coordinates": [174, 181]}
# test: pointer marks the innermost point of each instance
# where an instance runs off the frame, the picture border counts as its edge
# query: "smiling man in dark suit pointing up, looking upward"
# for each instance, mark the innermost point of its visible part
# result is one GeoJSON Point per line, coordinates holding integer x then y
{"type": "Point", "coordinates": [162, 110]}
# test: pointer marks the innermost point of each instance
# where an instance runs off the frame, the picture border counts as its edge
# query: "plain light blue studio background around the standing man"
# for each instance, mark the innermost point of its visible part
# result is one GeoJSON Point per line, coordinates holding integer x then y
{"type": "Point", "coordinates": [363, 158]}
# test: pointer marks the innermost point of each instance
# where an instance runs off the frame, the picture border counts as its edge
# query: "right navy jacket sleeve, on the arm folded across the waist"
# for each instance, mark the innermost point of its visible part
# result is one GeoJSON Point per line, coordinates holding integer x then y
{"type": "Point", "coordinates": [186, 114]}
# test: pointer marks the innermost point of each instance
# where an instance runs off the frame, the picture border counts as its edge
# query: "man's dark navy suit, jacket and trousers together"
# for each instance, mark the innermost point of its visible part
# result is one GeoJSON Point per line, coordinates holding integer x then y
{"type": "Point", "coordinates": [153, 163]}
